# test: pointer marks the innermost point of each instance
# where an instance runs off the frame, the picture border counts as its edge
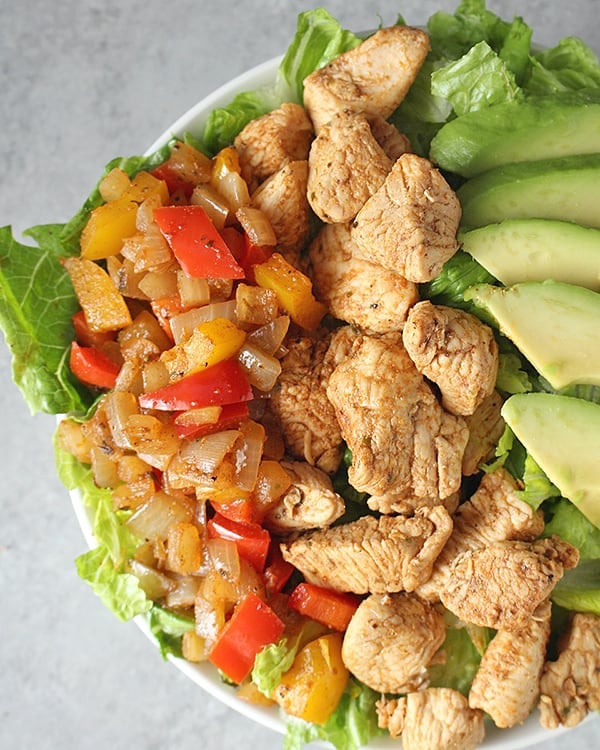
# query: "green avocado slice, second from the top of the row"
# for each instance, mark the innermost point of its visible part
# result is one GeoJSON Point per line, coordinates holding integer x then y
{"type": "Point", "coordinates": [565, 188]}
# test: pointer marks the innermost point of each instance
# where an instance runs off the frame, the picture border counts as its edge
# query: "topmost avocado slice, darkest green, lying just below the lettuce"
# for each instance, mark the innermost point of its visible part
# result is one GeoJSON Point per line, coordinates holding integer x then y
{"type": "Point", "coordinates": [516, 131]}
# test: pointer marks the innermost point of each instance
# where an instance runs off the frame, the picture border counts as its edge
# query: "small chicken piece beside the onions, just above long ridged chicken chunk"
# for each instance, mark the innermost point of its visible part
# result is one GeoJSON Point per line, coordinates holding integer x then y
{"type": "Point", "coordinates": [309, 503]}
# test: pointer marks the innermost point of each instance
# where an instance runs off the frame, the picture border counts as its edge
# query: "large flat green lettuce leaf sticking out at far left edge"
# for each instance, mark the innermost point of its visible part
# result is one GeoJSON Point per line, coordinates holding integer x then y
{"type": "Point", "coordinates": [36, 305]}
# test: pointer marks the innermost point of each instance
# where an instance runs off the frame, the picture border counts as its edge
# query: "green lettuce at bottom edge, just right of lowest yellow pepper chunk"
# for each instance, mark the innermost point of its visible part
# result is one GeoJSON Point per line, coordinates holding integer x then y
{"type": "Point", "coordinates": [351, 727]}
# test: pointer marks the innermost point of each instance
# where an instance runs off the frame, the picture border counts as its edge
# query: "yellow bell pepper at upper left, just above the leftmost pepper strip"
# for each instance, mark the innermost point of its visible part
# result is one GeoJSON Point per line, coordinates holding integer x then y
{"type": "Point", "coordinates": [110, 224]}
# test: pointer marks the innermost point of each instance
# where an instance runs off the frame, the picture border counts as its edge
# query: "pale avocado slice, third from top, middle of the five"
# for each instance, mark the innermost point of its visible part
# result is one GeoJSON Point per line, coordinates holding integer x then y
{"type": "Point", "coordinates": [517, 250]}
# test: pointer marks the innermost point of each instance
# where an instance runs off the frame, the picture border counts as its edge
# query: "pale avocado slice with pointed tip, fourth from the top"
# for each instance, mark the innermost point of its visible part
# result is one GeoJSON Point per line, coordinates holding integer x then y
{"type": "Point", "coordinates": [555, 325]}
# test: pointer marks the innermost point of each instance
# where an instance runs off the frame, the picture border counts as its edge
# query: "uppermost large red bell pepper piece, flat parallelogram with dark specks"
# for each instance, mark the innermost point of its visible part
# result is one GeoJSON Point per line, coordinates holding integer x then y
{"type": "Point", "coordinates": [196, 242]}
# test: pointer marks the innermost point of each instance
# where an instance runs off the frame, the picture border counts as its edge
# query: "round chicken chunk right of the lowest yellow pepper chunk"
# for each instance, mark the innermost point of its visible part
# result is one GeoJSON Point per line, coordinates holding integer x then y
{"type": "Point", "coordinates": [390, 641]}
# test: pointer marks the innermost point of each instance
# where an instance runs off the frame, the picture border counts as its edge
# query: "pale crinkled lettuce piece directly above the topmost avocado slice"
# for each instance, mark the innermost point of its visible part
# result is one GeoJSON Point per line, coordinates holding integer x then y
{"type": "Point", "coordinates": [478, 79]}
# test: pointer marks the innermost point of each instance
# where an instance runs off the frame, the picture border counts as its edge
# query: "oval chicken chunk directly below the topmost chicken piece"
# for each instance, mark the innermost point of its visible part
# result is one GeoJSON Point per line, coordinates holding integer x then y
{"type": "Point", "coordinates": [346, 166]}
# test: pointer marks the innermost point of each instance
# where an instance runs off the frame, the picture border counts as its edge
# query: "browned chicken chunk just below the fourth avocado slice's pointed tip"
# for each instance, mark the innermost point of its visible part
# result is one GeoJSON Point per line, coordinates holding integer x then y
{"type": "Point", "coordinates": [455, 350]}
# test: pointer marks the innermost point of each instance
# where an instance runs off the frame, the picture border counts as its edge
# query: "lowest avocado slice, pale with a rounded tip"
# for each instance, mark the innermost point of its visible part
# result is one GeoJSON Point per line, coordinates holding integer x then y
{"type": "Point", "coordinates": [562, 434]}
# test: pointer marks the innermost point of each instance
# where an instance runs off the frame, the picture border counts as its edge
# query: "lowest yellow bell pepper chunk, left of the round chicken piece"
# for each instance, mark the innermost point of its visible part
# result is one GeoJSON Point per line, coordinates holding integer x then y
{"type": "Point", "coordinates": [312, 688]}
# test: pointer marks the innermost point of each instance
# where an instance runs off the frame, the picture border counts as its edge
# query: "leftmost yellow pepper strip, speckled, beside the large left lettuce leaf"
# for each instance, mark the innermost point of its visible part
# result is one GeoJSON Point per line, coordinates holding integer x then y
{"type": "Point", "coordinates": [103, 306]}
